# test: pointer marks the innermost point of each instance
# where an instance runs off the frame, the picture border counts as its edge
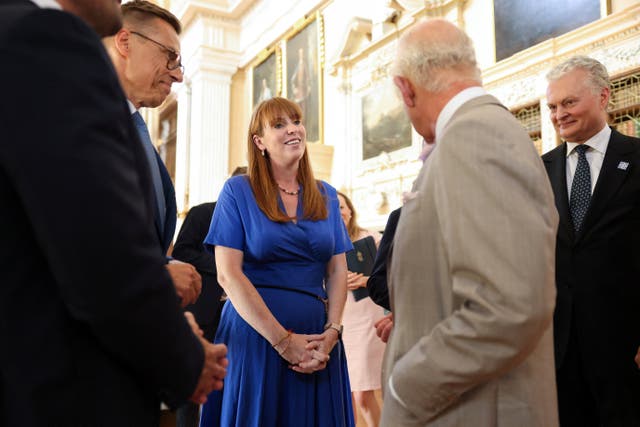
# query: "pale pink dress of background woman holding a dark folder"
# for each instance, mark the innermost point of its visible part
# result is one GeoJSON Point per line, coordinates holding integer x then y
{"type": "Point", "coordinates": [363, 348]}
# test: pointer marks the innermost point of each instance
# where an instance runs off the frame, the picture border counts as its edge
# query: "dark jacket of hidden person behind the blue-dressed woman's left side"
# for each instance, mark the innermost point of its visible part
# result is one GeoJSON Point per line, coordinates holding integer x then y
{"type": "Point", "coordinates": [189, 248]}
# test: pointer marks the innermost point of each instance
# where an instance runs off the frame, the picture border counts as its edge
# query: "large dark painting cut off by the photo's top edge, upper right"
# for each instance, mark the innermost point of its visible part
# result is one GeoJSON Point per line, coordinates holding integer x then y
{"type": "Point", "coordinates": [522, 24]}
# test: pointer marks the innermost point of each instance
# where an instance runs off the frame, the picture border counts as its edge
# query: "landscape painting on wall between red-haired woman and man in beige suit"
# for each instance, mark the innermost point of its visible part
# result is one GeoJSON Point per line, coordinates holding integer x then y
{"type": "Point", "coordinates": [385, 126]}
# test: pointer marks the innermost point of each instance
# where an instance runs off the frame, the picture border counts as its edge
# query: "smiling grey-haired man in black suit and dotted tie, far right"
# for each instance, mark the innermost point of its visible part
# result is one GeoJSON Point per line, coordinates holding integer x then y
{"type": "Point", "coordinates": [595, 175]}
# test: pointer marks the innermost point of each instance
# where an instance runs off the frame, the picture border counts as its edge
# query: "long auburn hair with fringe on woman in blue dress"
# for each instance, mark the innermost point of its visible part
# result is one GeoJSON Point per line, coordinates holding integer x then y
{"type": "Point", "coordinates": [264, 186]}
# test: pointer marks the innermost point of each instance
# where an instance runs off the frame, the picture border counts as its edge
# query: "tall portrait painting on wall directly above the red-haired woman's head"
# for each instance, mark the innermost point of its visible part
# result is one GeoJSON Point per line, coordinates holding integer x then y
{"type": "Point", "coordinates": [303, 71]}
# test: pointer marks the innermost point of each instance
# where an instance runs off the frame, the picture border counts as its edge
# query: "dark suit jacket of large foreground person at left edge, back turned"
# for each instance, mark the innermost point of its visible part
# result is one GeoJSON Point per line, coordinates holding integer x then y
{"type": "Point", "coordinates": [91, 331]}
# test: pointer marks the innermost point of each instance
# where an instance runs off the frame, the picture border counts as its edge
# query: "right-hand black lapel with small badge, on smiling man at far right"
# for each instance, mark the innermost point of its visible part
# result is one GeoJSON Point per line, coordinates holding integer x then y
{"type": "Point", "coordinates": [615, 168]}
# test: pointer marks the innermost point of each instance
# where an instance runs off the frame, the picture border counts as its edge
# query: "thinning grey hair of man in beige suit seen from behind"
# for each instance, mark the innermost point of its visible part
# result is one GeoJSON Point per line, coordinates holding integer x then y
{"type": "Point", "coordinates": [437, 62]}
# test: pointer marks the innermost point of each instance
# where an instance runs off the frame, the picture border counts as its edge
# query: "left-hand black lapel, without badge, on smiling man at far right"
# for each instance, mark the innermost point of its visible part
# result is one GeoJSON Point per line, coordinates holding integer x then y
{"type": "Point", "coordinates": [557, 169]}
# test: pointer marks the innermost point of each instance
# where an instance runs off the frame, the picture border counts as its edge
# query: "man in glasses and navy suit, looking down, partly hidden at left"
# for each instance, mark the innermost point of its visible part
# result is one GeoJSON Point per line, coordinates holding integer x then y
{"type": "Point", "coordinates": [146, 56]}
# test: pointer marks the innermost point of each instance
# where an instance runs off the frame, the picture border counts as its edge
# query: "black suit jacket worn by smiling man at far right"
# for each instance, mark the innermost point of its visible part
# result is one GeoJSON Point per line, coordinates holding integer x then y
{"type": "Point", "coordinates": [598, 271]}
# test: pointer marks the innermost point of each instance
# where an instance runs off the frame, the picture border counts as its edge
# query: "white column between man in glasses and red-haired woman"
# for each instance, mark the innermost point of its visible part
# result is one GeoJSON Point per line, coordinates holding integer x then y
{"type": "Point", "coordinates": [211, 58]}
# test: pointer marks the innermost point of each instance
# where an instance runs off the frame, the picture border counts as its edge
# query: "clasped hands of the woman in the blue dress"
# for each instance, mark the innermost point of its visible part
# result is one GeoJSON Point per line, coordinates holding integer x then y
{"type": "Point", "coordinates": [309, 353]}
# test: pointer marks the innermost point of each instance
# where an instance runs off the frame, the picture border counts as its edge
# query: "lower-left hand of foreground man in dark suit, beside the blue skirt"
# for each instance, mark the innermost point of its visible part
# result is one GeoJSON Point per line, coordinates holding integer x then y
{"type": "Point", "coordinates": [213, 371]}
